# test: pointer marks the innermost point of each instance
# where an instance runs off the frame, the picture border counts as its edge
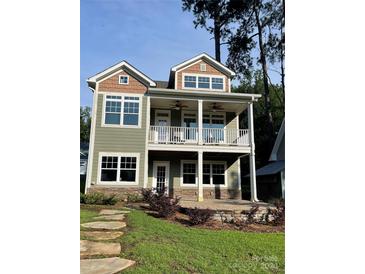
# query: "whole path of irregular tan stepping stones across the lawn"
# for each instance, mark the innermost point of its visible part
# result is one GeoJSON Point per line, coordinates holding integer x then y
{"type": "Point", "coordinates": [103, 230]}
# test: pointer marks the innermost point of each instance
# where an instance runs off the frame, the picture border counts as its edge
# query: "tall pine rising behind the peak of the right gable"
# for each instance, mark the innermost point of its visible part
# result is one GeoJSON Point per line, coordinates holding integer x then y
{"type": "Point", "coordinates": [215, 10]}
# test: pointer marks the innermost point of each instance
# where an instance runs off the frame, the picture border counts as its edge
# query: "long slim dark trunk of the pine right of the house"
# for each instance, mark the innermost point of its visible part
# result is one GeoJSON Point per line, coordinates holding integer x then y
{"type": "Point", "coordinates": [268, 114]}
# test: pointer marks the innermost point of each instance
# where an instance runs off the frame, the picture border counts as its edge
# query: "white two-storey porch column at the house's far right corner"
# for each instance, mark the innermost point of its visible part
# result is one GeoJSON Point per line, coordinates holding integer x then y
{"type": "Point", "coordinates": [252, 154]}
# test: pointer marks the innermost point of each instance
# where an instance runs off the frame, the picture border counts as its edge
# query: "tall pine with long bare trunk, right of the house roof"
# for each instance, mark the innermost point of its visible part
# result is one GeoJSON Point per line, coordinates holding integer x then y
{"type": "Point", "coordinates": [256, 20]}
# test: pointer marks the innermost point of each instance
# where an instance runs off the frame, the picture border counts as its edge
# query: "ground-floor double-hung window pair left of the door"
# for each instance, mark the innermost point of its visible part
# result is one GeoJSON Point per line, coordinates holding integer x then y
{"type": "Point", "coordinates": [119, 168]}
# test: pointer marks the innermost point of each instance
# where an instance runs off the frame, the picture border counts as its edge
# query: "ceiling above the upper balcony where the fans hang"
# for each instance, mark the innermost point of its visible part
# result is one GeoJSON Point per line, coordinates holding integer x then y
{"type": "Point", "coordinates": [161, 103]}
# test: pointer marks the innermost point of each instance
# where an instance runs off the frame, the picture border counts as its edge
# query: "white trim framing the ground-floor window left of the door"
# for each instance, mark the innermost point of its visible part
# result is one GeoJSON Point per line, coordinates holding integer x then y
{"type": "Point", "coordinates": [118, 154]}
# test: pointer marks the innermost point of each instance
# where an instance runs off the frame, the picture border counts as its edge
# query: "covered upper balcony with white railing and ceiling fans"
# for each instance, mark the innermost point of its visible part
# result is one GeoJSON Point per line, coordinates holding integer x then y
{"type": "Point", "coordinates": [192, 121]}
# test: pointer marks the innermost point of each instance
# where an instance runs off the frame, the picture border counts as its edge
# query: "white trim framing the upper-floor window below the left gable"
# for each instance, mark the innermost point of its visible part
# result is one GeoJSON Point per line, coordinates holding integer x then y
{"type": "Point", "coordinates": [122, 110]}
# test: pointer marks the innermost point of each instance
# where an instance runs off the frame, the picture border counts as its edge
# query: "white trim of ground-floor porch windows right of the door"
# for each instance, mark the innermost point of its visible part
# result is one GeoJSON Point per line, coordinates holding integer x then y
{"type": "Point", "coordinates": [211, 185]}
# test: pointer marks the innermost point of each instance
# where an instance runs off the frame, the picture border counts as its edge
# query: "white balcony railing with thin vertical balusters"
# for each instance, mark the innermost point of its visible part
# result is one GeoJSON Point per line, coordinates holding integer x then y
{"type": "Point", "coordinates": [190, 135]}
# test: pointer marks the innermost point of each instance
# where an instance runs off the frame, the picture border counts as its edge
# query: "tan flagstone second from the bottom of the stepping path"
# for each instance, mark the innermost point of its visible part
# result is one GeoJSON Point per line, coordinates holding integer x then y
{"type": "Point", "coordinates": [90, 248]}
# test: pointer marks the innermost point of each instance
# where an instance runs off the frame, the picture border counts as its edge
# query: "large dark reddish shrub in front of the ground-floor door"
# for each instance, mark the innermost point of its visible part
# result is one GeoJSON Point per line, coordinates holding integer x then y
{"type": "Point", "coordinates": [160, 202]}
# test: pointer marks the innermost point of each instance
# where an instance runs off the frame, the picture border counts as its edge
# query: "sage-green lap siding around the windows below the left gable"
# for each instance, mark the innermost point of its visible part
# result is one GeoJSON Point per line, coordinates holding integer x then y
{"type": "Point", "coordinates": [109, 139]}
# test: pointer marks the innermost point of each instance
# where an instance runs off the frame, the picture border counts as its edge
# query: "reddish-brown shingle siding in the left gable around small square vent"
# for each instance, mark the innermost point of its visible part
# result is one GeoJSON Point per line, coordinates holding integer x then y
{"type": "Point", "coordinates": [112, 84]}
